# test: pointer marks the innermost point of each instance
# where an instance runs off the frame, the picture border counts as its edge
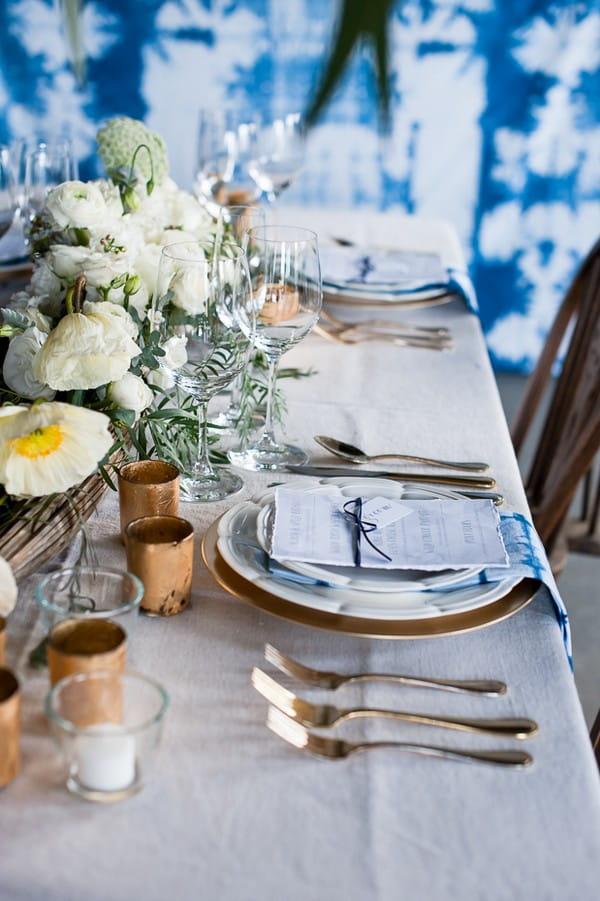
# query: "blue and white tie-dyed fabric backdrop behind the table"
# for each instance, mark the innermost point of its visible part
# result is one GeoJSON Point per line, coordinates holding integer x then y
{"type": "Point", "coordinates": [495, 117]}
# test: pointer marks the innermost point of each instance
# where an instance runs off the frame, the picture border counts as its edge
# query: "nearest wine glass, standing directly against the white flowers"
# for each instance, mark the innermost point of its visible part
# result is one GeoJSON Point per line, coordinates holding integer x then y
{"type": "Point", "coordinates": [203, 300]}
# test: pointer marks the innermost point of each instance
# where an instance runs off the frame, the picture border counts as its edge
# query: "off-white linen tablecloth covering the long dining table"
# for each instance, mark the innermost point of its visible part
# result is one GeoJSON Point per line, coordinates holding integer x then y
{"type": "Point", "coordinates": [233, 812]}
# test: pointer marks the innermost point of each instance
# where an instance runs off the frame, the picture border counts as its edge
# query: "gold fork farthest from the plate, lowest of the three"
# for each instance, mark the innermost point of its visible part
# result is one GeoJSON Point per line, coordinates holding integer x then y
{"type": "Point", "coordinates": [334, 748]}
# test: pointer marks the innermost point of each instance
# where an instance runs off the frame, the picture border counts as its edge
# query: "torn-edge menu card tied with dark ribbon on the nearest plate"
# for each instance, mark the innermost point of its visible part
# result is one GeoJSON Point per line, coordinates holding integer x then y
{"type": "Point", "coordinates": [312, 527]}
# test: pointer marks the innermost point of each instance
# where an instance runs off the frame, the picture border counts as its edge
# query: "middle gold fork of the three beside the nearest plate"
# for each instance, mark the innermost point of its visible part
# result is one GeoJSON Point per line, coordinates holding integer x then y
{"type": "Point", "coordinates": [322, 716]}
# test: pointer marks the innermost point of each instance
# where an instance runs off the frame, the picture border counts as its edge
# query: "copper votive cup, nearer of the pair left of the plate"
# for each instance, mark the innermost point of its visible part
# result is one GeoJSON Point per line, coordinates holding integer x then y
{"type": "Point", "coordinates": [160, 552]}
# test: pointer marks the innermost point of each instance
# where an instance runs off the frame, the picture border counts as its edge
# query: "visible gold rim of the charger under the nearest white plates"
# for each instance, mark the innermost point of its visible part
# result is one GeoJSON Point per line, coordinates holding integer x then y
{"type": "Point", "coordinates": [450, 624]}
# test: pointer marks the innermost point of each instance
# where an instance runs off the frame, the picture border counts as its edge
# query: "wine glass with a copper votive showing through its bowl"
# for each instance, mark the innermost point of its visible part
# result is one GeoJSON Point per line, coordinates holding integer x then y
{"type": "Point", "coordinates": [286, 282]}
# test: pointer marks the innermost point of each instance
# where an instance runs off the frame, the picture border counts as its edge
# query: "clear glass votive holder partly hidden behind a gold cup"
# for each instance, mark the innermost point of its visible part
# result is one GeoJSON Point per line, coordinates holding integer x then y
{"type": "Point", "coordinates": [91, 593]}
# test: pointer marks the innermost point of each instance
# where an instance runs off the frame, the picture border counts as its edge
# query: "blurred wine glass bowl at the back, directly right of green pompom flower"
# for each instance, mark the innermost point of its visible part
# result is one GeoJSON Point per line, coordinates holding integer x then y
{"type": "Point", "coordinates": [224, 145]}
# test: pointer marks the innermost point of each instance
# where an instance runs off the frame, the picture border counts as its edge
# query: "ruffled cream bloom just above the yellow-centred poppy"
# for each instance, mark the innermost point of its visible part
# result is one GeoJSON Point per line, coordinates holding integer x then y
{"type": "Point", "coordinates": [85, 351]}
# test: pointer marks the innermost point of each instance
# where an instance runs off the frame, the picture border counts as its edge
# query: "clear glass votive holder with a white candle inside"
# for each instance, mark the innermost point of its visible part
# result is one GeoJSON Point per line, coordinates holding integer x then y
{"type": "Point", "coordinates": [107, 753]}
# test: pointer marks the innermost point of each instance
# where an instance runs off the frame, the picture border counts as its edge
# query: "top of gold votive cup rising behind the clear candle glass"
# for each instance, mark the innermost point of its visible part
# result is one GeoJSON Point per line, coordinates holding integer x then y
{"type": "Point", "coordinates": [85, 646]}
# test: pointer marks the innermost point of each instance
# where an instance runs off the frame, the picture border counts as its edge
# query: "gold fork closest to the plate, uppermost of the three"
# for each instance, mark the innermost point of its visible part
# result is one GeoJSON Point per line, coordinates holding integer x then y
{"type": "Point", "coordinates": [328, 679]}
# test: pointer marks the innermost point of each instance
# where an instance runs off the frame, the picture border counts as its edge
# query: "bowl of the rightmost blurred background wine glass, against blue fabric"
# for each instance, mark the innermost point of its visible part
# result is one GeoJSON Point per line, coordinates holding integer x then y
{"type": "Point", "coordinates": [278, 154]}
